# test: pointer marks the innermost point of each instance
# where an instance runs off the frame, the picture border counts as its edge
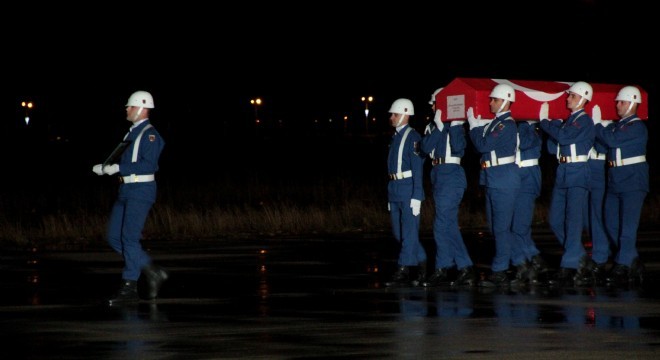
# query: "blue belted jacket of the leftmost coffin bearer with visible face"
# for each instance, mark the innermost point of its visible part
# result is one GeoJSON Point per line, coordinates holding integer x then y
{"type": "Point", "coordinates": [500, 137]}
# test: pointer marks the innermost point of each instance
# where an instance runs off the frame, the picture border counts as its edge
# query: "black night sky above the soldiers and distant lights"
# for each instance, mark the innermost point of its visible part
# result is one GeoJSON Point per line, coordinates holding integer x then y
{"type": "Point", "coordinates": [309, 63]}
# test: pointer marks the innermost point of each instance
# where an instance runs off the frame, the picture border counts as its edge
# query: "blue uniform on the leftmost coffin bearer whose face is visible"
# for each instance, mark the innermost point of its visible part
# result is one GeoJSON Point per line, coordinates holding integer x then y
{"type": "Point", "coordinates": [497, 143]}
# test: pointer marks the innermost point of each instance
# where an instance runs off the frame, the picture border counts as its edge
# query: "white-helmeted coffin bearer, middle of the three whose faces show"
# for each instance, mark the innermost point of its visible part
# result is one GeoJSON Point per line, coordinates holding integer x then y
{"type": "Point", "coordinates": [574, 139]}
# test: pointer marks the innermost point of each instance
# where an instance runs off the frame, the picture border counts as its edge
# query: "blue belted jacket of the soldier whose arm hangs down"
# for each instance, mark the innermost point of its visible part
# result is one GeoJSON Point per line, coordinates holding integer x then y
{"type": "Point", "coordinates": [411, 160]}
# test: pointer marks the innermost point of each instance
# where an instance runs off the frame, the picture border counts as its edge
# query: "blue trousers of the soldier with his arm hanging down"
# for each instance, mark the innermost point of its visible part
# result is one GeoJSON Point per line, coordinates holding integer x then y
{"type": "Point", "coordinates": [405, 228]}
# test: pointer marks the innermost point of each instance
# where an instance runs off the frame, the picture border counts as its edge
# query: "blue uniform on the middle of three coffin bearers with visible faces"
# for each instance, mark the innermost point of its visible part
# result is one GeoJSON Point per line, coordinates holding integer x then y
{"type": "Point", "coordinates": [574, 138]}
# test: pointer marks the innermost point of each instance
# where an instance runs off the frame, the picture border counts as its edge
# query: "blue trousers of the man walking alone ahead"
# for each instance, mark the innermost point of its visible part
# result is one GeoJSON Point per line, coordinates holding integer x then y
{"type": "Point", "coordinates": [127, 220]}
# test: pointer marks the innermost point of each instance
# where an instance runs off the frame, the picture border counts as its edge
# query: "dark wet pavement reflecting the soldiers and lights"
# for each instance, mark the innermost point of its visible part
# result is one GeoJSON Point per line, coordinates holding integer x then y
{"type": "Point", "coordinates": [307, 298]}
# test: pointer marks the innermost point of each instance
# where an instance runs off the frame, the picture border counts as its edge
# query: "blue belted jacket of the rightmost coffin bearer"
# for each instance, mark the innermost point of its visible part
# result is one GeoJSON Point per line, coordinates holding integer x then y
{"type": "Point", "coordinates": [630, 135]}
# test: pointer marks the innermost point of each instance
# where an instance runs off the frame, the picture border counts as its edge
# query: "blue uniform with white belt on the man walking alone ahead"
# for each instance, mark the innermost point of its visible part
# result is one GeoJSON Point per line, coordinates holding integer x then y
{"type": "Point", "coordinates": [137, 194]}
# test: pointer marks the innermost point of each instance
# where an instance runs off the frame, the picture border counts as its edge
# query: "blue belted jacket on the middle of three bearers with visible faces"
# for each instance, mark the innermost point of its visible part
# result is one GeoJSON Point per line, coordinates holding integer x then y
{"type": "Point", "coordinates": [578, 130]}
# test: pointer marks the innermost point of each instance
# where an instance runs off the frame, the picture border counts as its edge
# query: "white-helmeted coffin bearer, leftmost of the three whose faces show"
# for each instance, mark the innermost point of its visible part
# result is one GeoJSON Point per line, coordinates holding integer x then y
{"type": "Point", "coordinates": [498, 144]}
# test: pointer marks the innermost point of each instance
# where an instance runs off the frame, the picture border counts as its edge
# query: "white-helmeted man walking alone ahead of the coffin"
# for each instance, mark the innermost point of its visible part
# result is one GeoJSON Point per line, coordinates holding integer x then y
{"type": "Point", "coordinates": [137, 194]}
